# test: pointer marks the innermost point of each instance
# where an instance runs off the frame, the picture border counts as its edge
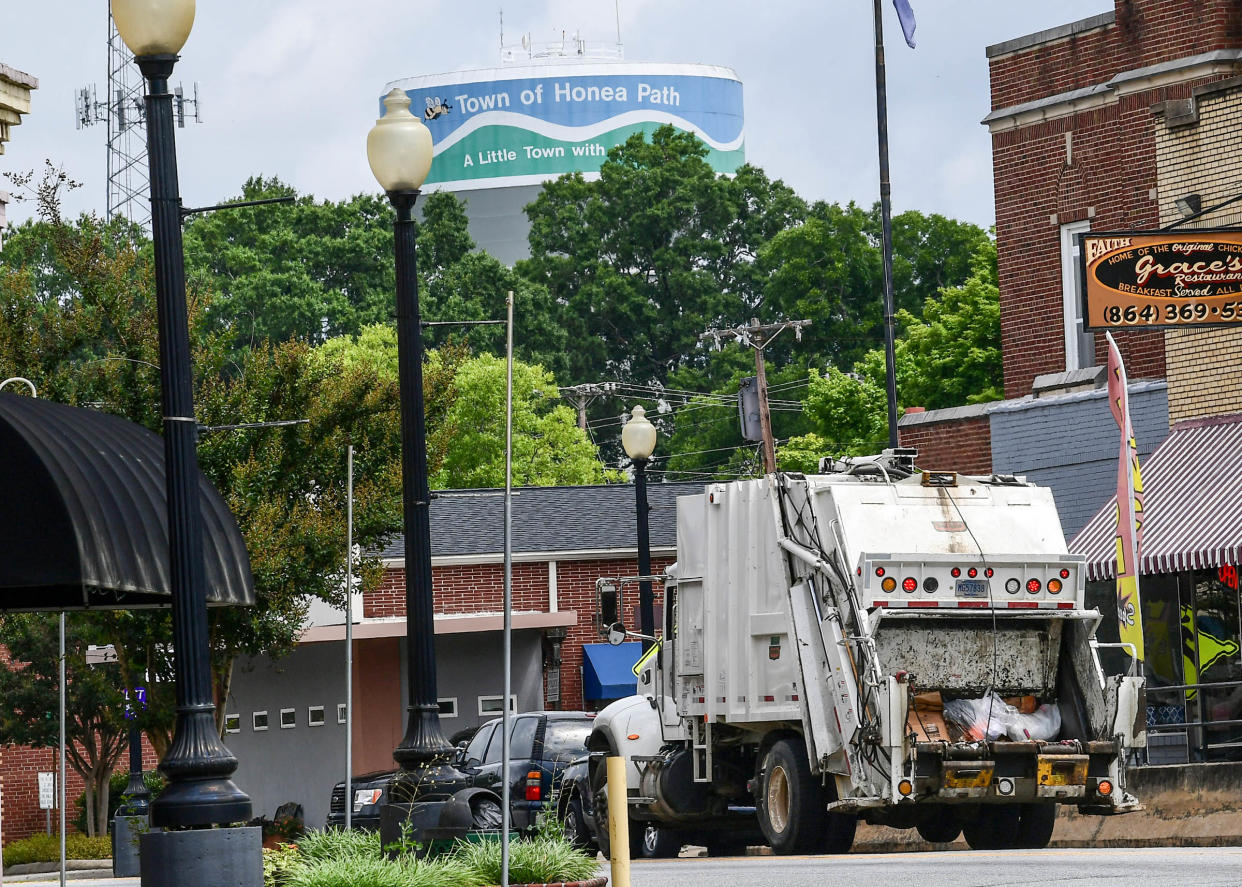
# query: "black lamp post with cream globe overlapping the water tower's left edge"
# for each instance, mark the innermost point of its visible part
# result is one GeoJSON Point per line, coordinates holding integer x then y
{"type": "Point", "coordinates": [399, 151]}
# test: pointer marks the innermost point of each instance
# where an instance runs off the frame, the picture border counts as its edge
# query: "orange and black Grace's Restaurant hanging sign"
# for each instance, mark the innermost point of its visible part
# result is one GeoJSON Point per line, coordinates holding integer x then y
{"type": "Point", "coordinates": [1189, 279]}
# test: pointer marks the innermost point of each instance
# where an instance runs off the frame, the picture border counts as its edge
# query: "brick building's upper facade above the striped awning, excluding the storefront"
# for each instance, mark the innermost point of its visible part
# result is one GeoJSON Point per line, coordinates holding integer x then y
{"type": "Point", "coordinates": [1101, 125]}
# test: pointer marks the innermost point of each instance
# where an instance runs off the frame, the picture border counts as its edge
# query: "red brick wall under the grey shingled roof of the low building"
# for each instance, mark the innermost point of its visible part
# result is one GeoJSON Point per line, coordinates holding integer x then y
{"type": "Point", "coordinates": [479, 588]}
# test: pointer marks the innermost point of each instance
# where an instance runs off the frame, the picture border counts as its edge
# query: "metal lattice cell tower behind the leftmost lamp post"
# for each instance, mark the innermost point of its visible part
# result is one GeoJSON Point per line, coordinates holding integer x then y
{"type": "Point", "coordinates": [125, 111]}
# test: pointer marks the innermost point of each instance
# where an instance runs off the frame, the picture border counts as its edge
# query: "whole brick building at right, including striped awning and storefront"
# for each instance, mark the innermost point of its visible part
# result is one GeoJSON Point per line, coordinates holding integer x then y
{"type": "Point", "coordinates": [1128, 121]}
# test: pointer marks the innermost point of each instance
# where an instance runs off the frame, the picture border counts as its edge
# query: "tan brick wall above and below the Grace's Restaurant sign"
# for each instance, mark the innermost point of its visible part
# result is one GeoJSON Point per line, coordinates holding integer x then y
{"type": "Point", "coordinates": [1205, 158]}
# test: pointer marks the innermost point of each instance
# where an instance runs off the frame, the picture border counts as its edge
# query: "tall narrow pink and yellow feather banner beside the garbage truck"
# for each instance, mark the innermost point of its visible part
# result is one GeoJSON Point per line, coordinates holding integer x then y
{"type": "Point", "coordinates": [1130, 507]}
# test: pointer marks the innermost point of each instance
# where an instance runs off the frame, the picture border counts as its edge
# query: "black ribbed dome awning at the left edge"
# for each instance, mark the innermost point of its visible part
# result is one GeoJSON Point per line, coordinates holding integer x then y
{"type": "Point", "coordinates": [84, 517]}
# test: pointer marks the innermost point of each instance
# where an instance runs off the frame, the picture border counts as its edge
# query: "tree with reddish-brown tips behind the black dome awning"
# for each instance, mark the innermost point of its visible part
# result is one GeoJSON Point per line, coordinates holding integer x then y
{"type": "Point", "coordinates": [93, 342]}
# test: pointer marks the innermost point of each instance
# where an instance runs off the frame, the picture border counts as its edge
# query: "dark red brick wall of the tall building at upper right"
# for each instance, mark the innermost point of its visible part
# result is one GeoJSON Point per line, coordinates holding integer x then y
{"type": "Point", "coordinates": [1105, 173]}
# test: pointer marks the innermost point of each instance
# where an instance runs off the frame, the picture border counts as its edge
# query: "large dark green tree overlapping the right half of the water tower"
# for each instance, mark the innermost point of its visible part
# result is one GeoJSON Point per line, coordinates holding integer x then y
{"type": "Point", "coordinates": [653, 254]}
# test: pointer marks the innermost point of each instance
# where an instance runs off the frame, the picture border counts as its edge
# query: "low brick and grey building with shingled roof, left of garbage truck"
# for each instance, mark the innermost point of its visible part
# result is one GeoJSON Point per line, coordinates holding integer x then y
{"type": "Point", "coordinates": [564, 539]}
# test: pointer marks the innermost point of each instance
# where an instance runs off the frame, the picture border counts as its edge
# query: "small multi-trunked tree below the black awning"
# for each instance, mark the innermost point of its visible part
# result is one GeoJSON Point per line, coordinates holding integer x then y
{"type": "Point", "coordinates": [95, 726]}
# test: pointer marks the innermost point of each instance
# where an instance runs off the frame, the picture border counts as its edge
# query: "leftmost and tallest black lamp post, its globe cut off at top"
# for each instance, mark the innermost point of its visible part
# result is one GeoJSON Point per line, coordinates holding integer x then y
{"type": "Point", "coordinates": [198, 765]}
